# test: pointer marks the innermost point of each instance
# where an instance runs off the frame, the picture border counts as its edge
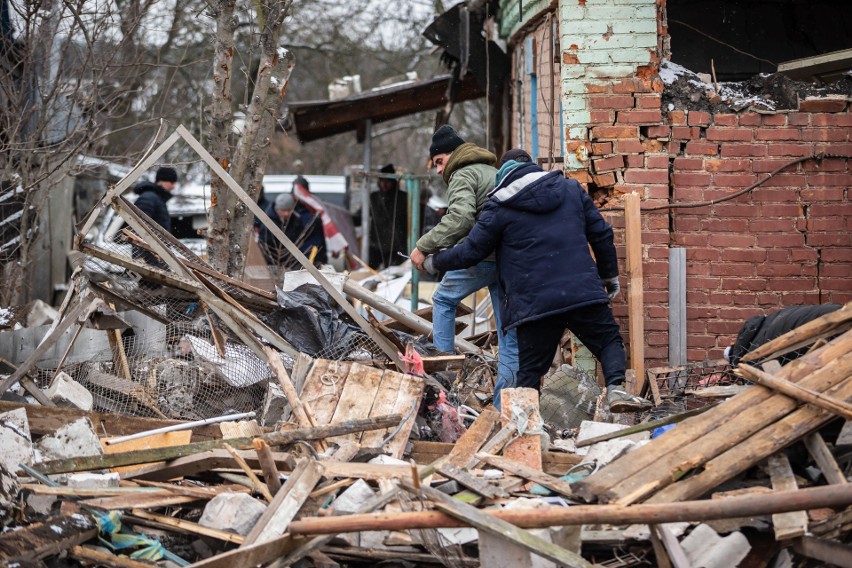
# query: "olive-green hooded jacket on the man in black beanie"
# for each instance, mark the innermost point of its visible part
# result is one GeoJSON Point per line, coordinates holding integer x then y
{"type": "Point", "coordinates": [469, 175]}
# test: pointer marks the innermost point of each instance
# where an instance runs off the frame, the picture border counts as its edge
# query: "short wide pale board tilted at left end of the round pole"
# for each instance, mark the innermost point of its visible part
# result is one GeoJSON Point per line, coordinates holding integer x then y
{"type": "Point", "coordinates": [286, 504]}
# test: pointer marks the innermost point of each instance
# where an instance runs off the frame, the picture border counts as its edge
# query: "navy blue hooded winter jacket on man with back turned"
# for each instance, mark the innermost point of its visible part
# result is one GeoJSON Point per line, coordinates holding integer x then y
{"type": "Point", "coordinates": [540, 224]}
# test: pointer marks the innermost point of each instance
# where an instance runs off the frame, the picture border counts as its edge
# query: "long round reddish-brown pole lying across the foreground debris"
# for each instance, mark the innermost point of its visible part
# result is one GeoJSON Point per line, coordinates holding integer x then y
{"type": "Point", "coordinates": [834, 496]}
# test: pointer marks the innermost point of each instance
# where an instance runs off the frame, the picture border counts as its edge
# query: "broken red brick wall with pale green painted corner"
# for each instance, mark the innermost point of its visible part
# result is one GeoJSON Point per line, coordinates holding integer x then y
{"type": "Point", "coordinates": [786, 242]}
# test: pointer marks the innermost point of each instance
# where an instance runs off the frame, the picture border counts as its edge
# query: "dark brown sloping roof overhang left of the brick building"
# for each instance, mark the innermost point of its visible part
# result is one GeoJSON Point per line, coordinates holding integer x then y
{"type": "Point", "coordinates": [319, 119]}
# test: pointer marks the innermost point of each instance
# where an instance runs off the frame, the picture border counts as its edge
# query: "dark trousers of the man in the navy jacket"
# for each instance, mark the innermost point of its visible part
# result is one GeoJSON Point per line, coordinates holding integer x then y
{"type": "Point", "coordinates": [593, 325]}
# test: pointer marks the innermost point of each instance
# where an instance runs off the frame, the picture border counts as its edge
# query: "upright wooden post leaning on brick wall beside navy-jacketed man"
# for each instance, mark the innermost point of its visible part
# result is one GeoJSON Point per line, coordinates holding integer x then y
{"type": "Point", "coordinates": [635, 301]}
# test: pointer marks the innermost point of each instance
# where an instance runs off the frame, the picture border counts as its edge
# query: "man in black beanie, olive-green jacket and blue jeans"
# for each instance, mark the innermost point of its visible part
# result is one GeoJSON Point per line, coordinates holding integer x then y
{"type": "Point", "coordinates": [469, 173]}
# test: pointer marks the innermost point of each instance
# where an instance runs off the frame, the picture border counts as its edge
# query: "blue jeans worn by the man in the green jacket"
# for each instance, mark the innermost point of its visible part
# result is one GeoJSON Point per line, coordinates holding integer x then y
{"type": "Point", "coordinates": [458, 285]}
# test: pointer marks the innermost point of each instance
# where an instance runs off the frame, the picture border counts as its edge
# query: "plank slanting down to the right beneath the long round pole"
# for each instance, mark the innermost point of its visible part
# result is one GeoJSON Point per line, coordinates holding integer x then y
{"type": "Point", "coordinates": [500, 528]}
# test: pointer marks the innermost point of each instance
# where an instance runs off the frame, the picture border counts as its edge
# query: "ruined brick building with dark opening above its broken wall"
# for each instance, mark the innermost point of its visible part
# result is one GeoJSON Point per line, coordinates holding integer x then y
{"type": "Point", "coordinates": [593, 92]}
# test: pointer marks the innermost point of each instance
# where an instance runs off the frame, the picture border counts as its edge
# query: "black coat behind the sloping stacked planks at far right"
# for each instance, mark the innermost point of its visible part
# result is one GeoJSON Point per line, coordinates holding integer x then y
{"type": "Point", "coordinates": [758, 330]}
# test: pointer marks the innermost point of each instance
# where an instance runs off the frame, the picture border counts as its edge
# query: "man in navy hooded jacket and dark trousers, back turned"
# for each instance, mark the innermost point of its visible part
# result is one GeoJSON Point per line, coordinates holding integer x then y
{"type": "Point", "coordinates": [541, 225]}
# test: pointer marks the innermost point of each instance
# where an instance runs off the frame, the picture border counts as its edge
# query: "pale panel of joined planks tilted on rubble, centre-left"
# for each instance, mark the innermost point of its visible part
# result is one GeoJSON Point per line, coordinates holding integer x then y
{"type": "Point", "coordinates": [338, 391]}
